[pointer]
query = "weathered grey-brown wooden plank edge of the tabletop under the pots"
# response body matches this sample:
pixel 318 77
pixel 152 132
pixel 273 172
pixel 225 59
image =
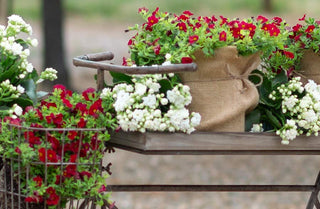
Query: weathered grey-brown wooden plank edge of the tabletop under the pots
pixel 208 142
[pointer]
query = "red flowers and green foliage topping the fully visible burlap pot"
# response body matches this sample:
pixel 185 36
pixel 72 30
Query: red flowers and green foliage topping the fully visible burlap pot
pixel 181 35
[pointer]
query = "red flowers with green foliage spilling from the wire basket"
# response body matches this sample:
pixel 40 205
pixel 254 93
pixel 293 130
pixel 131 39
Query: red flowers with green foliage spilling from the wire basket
pixel 59 145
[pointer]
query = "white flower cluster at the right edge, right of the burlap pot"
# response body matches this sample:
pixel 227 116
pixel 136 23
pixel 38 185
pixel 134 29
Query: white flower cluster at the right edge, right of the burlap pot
pixel 302 106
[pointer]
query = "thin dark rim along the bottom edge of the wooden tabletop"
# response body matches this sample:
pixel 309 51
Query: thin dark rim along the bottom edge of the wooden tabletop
pixel 215 152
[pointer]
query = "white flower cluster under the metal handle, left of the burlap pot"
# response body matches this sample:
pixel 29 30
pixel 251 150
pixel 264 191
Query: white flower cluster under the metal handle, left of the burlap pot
pixel 141 106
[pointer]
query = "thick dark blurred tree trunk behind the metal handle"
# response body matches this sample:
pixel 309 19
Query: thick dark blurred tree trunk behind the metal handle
pixel 52 13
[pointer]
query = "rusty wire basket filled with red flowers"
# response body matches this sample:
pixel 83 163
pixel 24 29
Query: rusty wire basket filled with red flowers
pixel 42 160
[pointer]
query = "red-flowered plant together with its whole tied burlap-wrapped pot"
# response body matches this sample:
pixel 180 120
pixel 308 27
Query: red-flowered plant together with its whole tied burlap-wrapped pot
pixel 226 51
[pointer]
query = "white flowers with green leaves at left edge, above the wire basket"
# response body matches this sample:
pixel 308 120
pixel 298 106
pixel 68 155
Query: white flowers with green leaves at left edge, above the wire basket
pixel 18 78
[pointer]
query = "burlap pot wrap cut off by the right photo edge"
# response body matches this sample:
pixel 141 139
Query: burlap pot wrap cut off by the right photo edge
pixel 309 67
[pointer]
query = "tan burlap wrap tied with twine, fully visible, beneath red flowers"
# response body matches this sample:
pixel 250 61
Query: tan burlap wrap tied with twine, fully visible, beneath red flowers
pixel 221 91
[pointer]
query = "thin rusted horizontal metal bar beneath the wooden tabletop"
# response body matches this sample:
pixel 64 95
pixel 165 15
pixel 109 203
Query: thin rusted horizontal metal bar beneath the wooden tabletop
pixel 211 188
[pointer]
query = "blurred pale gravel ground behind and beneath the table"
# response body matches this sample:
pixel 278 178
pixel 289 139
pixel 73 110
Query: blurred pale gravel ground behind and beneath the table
pixel 91 36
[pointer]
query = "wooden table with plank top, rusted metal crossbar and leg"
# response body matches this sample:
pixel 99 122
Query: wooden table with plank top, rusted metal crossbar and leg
pixel 204 143
